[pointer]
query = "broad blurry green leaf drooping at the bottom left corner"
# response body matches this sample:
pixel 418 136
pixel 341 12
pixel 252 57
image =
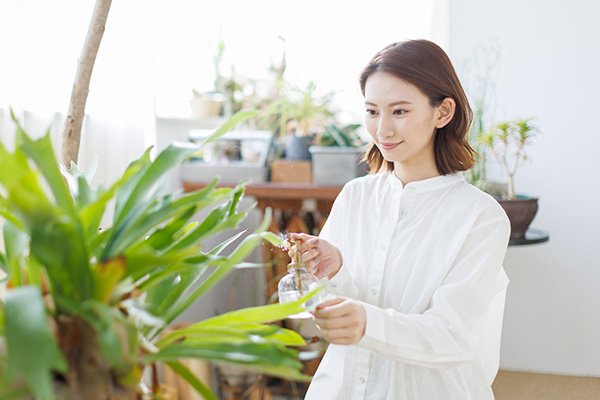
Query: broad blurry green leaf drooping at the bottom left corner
pixel 32 350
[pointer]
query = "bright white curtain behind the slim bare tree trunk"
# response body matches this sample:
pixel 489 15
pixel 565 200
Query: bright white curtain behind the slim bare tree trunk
pixel 40 43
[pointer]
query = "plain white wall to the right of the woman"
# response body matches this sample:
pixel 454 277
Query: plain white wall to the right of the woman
pixel 549 70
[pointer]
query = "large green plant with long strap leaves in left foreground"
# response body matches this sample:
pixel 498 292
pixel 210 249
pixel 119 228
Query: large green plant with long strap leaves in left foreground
pixel 83 305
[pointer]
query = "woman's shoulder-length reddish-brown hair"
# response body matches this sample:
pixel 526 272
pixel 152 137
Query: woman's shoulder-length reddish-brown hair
pixel 425 65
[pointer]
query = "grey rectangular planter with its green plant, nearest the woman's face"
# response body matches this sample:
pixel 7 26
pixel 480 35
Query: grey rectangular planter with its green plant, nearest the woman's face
pixel 337 155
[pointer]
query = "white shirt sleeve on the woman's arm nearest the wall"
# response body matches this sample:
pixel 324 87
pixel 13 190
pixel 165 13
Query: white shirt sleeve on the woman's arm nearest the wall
pixel 447 334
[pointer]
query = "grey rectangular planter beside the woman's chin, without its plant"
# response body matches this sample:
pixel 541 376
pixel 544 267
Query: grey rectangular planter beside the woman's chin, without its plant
pixel 335 166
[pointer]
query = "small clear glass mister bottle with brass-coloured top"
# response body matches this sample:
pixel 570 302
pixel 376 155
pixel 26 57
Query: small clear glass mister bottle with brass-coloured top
pixel 297 283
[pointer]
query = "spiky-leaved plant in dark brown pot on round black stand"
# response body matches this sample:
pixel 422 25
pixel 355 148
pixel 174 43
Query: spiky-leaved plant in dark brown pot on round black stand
pixel 507 142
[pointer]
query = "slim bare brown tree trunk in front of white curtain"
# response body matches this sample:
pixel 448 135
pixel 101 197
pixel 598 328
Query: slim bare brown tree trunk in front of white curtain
pixel 71 135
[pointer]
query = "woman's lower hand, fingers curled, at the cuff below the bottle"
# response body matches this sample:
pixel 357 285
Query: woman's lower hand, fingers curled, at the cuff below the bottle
pixel 342 321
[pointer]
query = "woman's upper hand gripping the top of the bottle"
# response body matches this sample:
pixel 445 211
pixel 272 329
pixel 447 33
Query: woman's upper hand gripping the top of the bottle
pixel 322 258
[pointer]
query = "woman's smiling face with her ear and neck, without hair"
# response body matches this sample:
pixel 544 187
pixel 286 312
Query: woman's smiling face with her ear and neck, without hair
pixel 401 122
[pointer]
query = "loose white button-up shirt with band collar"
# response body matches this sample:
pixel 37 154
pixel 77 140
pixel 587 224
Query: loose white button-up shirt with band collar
pixel 425 261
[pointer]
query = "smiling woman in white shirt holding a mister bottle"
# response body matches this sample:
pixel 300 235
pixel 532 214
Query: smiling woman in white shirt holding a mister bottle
pixel 412 252
